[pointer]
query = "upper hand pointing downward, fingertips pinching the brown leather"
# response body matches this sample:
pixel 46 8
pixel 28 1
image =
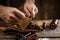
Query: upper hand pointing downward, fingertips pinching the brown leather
pixel 29 8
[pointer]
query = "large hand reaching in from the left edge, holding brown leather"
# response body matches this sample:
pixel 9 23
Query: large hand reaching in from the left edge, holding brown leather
pixel 9 13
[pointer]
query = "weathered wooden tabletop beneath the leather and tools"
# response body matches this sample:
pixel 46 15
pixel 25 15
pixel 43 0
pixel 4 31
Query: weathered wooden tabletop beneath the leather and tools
pixel 45 33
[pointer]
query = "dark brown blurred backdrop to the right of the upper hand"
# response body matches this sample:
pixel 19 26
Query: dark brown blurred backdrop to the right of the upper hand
pixel 48 9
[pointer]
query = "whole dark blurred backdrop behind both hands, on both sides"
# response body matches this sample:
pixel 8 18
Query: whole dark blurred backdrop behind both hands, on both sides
pixel 48 9
